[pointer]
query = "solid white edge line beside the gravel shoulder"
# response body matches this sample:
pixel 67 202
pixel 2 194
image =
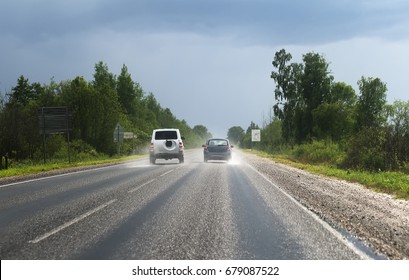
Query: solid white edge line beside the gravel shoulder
pixel 338 235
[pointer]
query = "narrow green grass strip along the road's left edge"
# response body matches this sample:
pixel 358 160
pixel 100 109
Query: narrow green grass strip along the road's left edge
pixel 19 169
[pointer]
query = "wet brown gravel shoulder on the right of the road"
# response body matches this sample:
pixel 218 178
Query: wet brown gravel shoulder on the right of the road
pixel 378 219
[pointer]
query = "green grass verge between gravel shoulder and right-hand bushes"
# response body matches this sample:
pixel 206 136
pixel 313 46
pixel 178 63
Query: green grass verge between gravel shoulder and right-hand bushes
pixel 393 183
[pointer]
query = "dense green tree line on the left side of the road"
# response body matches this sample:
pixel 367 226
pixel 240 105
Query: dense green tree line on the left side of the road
pixel 96 107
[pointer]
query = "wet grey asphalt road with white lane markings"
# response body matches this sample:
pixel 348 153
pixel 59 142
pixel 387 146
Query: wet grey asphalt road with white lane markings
pixel 195 210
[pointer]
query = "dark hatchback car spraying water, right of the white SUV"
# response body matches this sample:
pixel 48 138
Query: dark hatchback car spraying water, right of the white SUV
pixel 217 149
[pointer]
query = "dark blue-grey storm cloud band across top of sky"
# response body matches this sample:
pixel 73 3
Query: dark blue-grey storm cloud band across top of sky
pixel 286 22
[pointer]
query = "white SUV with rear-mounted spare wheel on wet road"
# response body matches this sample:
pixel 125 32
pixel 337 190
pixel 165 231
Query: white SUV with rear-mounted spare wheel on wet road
pixel 166 143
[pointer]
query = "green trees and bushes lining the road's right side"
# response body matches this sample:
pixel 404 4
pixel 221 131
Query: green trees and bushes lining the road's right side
pixel 361 130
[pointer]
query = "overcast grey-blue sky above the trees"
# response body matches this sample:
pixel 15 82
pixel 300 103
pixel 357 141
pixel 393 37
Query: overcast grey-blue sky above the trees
pixel 209 61
